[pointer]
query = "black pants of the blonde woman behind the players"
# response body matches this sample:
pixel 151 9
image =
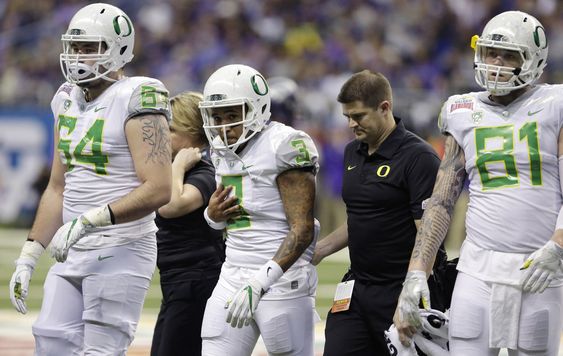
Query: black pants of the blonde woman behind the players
pixel 178 327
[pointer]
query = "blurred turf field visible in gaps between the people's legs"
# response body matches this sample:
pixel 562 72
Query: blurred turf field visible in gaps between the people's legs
pixel 15 333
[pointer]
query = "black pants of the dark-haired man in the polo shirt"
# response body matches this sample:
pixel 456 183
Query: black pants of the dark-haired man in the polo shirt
pixel 359 330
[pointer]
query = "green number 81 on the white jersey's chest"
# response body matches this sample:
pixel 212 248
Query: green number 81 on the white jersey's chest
pixel 505 154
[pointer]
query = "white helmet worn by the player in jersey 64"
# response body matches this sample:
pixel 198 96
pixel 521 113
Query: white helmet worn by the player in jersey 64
pixel 105 25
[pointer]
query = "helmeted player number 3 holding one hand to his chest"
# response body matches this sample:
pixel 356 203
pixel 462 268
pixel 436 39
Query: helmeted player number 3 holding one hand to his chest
pixel 265 173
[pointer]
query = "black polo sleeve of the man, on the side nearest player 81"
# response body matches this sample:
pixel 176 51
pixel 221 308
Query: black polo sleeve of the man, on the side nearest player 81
pixel 420 179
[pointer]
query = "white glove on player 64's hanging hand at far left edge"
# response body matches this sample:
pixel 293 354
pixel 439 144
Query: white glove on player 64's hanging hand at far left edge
pixel 19 284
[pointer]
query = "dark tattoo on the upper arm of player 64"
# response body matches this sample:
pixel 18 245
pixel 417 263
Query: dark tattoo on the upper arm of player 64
pixel 156 134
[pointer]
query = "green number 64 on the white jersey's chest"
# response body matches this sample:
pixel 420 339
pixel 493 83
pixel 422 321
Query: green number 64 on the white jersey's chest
pixel 93 137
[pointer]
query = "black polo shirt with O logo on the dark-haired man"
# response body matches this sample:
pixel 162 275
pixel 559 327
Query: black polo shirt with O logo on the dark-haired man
pixel 383 193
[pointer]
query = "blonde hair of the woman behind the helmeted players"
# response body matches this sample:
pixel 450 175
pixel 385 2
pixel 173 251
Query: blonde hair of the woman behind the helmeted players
pixel 186 117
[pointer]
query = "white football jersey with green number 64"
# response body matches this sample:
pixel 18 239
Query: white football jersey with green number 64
pixel 93 148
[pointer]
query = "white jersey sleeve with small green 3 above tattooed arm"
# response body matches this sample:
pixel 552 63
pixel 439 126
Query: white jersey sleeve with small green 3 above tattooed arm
pixel 297 150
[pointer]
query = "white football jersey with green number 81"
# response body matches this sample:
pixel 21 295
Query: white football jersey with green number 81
pixel 512 164
